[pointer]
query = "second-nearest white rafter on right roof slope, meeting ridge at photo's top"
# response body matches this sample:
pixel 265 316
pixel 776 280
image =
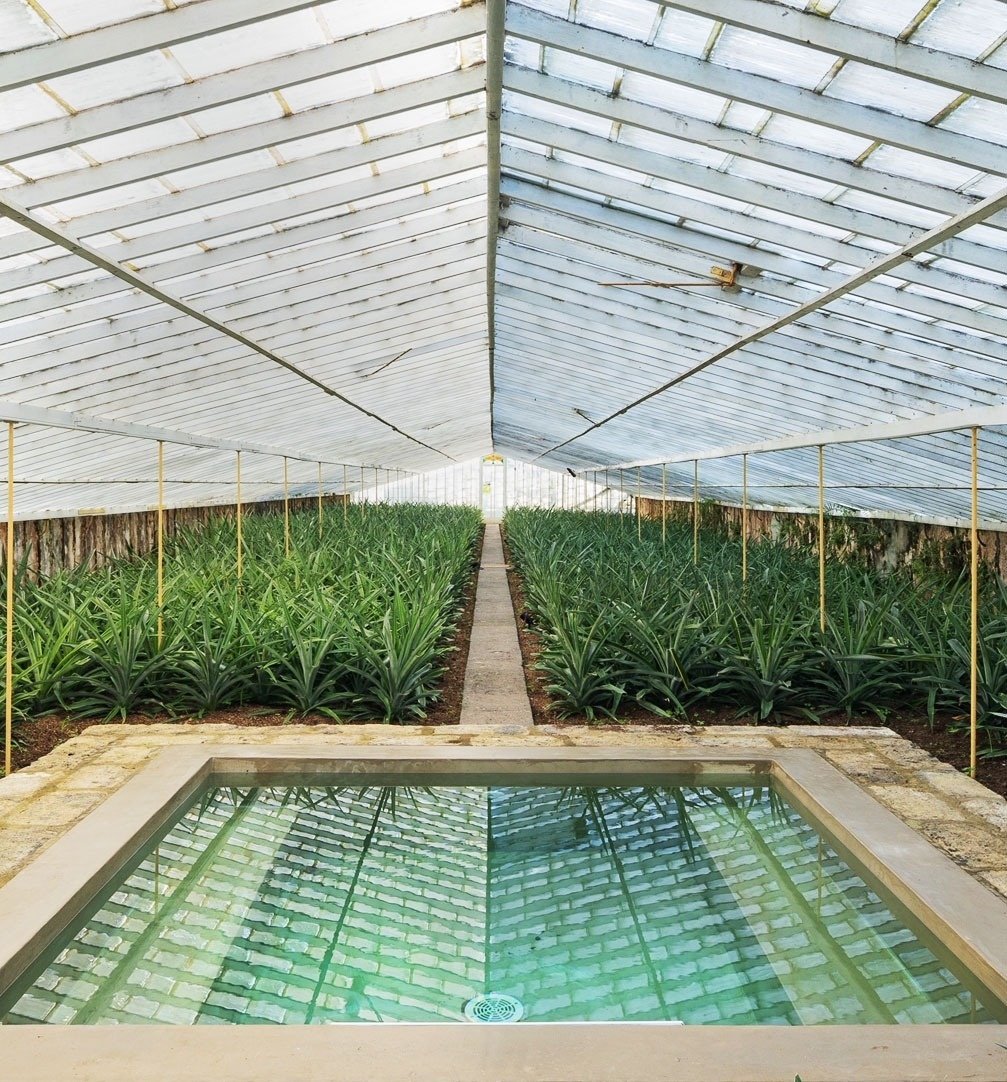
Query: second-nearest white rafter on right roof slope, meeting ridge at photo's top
pixel 757 90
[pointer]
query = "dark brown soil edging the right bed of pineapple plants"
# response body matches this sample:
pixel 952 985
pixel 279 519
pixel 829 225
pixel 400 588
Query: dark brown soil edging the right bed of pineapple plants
pixel 946 741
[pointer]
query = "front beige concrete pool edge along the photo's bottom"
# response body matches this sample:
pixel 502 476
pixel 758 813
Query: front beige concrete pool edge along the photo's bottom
pixel 535 1052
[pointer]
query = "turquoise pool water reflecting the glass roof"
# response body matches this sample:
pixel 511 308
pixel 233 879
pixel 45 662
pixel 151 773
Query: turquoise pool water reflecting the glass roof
pixel 706 904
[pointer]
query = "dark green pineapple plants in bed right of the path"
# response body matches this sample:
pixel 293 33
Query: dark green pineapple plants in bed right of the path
pixel 626 622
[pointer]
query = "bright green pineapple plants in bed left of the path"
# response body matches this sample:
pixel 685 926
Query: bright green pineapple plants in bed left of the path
pixel 353 625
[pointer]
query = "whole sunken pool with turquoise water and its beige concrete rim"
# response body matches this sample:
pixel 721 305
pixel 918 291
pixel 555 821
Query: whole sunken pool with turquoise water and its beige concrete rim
pixel 356 903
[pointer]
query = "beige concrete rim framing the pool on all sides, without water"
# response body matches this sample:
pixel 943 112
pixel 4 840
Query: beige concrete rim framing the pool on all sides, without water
pixel 971 919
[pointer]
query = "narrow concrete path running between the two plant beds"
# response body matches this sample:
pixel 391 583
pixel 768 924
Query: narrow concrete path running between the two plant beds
pixel 495 694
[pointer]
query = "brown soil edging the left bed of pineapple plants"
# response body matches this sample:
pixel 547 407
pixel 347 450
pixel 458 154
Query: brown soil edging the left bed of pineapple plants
pixel 42 735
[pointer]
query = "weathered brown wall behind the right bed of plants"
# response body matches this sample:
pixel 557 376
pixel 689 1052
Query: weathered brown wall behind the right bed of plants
pixel 877 542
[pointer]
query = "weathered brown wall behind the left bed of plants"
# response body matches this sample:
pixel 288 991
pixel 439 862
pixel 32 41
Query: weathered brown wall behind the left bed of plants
pixel 55 545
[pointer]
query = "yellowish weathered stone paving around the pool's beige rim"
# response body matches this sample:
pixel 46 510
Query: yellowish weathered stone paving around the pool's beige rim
pixel 960 816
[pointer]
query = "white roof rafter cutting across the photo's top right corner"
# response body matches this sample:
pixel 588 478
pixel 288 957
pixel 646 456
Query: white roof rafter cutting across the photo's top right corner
pixel 852 43
